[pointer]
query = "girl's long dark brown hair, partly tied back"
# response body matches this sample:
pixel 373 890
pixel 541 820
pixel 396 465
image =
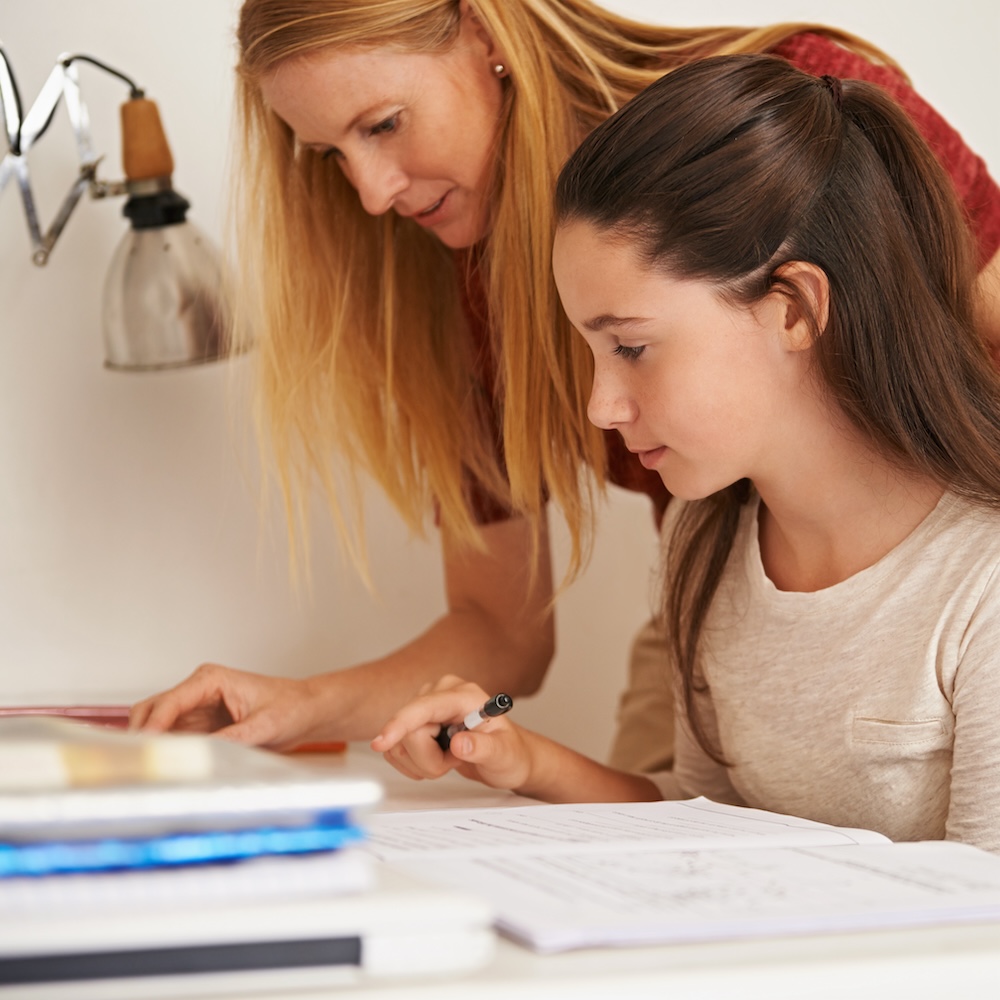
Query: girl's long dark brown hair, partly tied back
pixel 728 169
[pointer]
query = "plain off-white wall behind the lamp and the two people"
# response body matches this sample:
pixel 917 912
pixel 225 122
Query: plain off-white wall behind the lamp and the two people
pixel 130 544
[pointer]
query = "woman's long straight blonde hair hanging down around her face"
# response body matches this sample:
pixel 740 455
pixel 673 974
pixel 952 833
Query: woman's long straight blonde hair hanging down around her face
pixel 358 319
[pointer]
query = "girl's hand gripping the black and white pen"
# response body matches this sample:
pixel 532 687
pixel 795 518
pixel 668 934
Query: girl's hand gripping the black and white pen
pixel 495 753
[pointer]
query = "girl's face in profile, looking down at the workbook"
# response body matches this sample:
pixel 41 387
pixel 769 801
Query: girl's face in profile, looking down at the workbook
pixel 700 389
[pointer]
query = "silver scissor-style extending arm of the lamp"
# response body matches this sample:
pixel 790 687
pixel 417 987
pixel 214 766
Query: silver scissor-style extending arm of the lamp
pixel 24 131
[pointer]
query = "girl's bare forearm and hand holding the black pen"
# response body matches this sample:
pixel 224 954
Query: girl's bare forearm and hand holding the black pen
pixel 499 753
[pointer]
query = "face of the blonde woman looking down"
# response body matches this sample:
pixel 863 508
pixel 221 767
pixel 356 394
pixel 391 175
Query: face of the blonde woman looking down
pixel 414 132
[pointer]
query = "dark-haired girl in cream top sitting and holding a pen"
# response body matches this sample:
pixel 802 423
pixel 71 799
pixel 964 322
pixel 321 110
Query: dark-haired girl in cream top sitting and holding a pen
pixel 776 281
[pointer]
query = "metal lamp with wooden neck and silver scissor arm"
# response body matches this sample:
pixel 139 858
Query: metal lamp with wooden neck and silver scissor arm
pixel 162 295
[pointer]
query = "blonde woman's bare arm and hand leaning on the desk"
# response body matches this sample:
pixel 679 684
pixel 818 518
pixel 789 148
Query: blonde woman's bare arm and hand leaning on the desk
pixel 498 630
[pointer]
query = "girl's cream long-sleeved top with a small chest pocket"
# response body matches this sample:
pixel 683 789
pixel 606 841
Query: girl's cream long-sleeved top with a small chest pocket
pixel 874 703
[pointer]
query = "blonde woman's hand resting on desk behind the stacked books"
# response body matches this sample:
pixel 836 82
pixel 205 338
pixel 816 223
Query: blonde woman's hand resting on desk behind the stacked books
pixel 243 707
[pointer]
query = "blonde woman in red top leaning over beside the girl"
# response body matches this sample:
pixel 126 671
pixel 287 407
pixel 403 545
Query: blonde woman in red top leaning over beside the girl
pixel 396 232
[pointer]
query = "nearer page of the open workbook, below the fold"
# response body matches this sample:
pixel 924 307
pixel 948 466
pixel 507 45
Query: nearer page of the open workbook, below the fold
pixel 580 900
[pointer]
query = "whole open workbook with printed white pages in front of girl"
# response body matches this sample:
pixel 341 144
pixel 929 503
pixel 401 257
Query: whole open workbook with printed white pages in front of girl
pixel 563 877
